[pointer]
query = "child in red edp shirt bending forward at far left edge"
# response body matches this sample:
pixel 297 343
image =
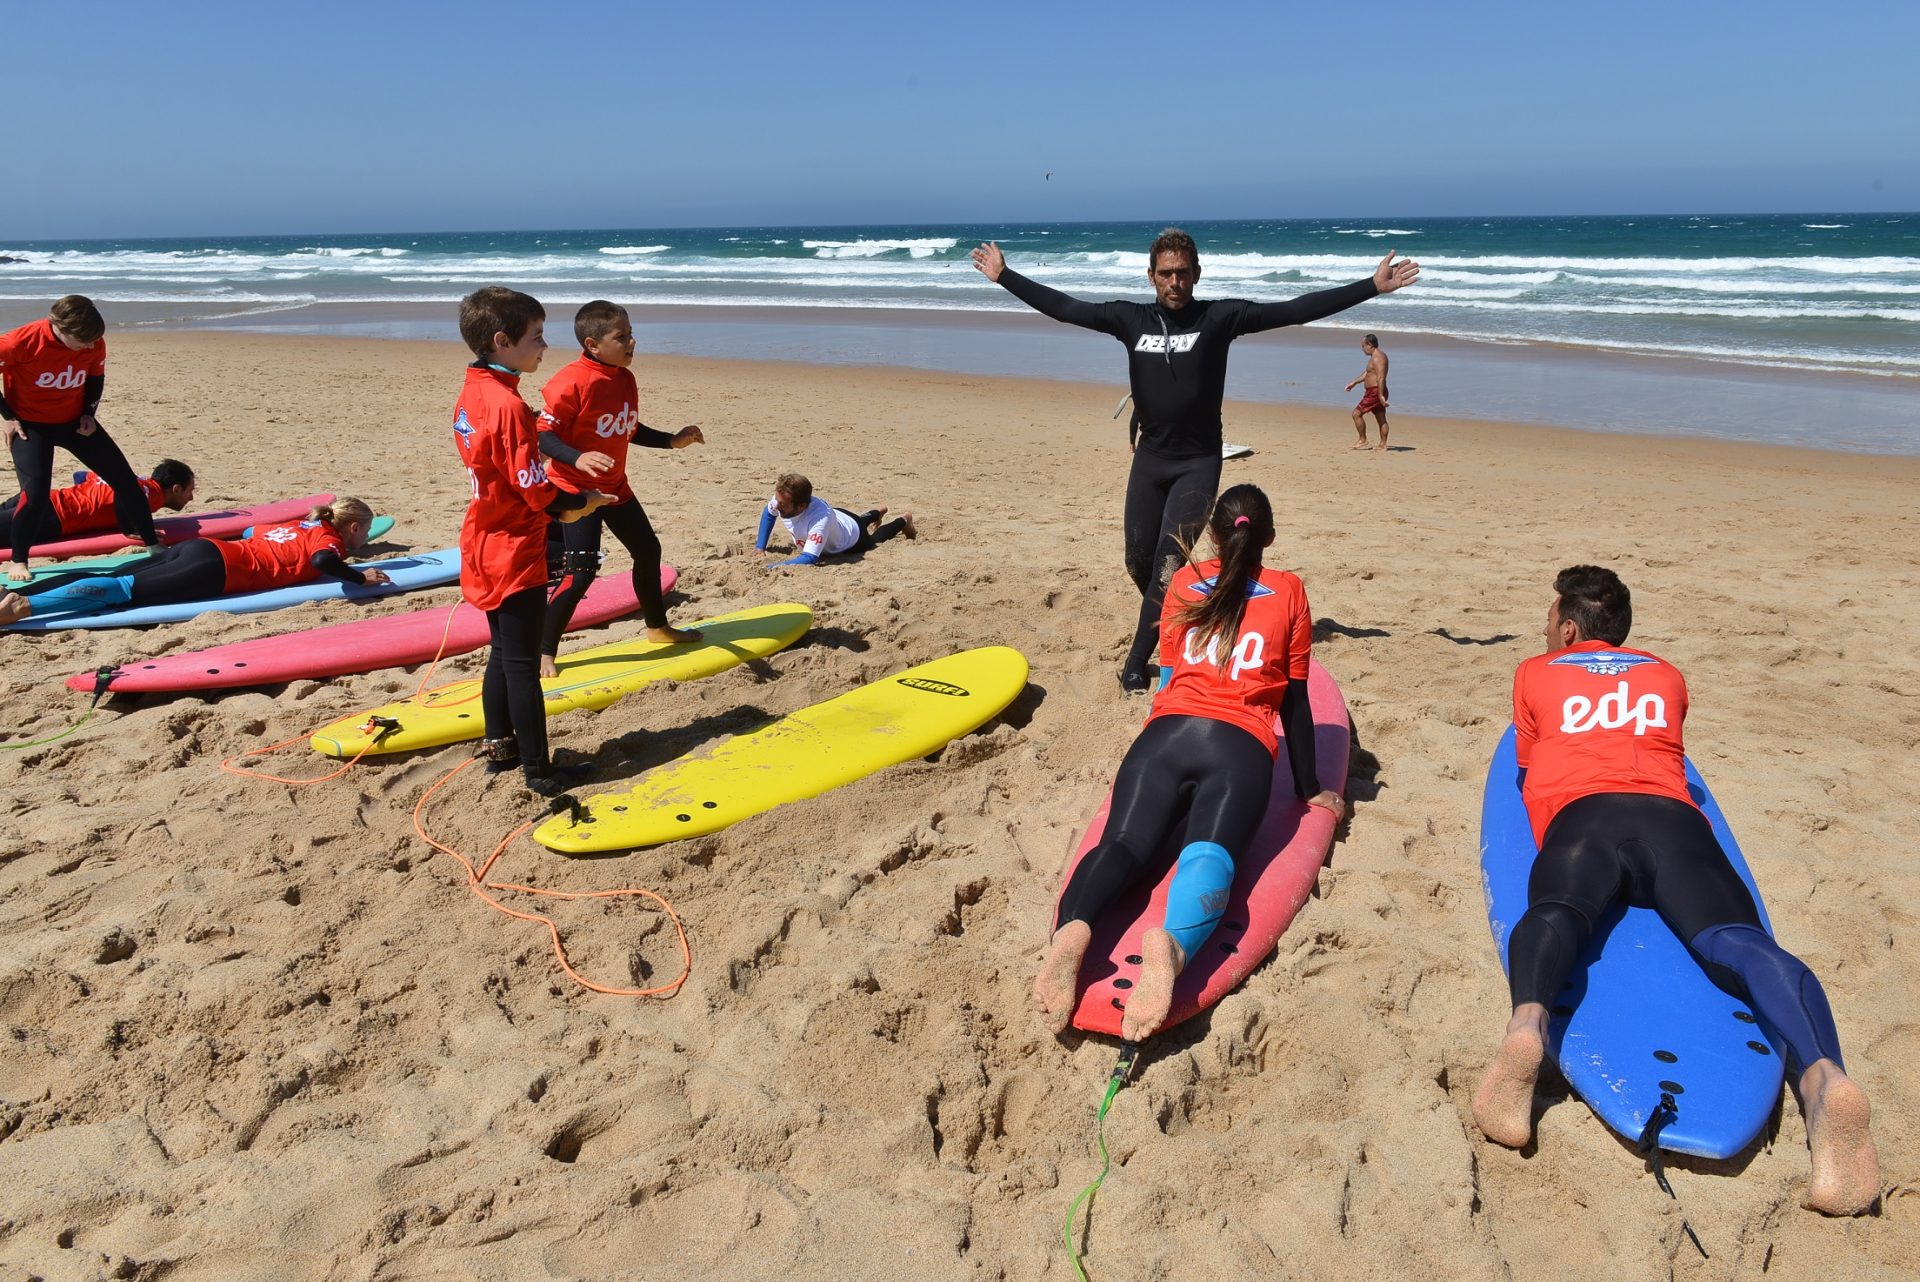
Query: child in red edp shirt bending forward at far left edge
pixel 53 375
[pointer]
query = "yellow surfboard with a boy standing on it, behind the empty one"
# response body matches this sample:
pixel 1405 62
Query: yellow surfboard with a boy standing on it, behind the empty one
pixel 587 680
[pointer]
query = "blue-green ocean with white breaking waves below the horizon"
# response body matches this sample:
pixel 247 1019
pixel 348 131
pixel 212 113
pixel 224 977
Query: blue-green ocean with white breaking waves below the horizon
pixel 1812 293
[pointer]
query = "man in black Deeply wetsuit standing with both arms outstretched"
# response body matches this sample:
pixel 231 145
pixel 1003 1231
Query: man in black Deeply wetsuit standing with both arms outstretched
pixel 1178 371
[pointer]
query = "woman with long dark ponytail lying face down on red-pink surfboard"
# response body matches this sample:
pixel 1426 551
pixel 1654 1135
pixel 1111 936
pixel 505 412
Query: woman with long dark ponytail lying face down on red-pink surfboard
pixel 1236 638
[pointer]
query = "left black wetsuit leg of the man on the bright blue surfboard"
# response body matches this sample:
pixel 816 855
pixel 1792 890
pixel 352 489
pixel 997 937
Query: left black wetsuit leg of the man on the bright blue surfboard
pixel 1577 876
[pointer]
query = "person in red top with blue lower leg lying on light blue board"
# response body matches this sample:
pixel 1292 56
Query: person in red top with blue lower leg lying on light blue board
pixel 204 569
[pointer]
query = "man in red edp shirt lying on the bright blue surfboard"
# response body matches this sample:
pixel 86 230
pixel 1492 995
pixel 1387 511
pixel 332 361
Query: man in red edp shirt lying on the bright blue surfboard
pixel 1604 782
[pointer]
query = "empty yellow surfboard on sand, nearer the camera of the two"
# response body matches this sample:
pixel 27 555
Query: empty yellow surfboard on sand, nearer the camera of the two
pixel 817 749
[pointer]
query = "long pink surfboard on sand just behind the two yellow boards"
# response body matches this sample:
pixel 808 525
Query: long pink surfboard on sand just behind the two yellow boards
pixel 339 650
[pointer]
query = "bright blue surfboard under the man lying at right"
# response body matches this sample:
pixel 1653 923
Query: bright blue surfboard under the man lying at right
pixel 1639 1020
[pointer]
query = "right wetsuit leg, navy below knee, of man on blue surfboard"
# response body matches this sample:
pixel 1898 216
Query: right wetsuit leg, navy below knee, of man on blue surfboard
pixel 1698 893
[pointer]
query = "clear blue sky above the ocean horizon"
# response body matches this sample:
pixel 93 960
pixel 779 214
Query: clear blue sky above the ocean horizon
pixel 174 120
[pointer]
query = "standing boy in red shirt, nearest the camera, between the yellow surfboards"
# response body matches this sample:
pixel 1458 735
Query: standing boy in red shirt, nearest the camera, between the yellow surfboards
pixel 504 540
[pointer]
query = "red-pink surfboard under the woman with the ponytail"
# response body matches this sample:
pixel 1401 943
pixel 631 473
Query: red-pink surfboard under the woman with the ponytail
pixel 1272 880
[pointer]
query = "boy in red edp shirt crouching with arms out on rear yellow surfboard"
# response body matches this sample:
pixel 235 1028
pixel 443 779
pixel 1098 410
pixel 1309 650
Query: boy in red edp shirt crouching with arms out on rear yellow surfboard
pixel 587 427
